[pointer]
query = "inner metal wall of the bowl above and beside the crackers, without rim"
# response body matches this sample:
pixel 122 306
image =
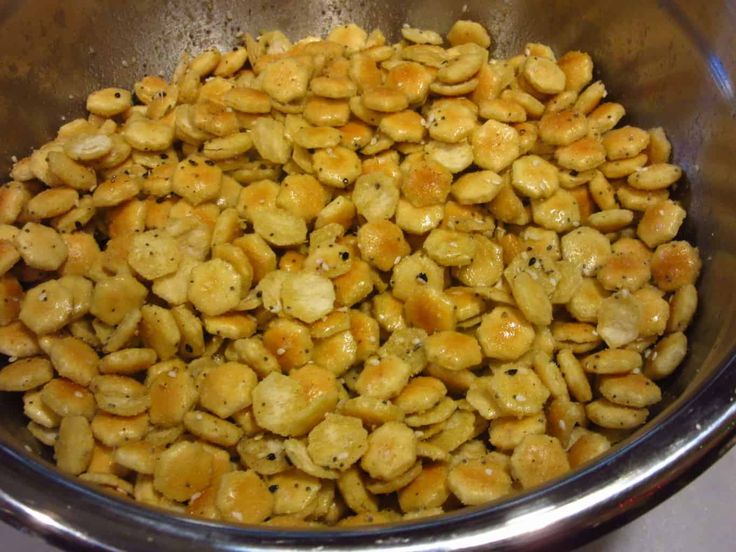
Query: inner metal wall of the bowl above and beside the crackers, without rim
pixel 667 62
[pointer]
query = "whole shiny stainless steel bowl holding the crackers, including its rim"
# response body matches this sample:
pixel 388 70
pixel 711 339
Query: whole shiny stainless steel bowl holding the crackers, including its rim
pixel 670 62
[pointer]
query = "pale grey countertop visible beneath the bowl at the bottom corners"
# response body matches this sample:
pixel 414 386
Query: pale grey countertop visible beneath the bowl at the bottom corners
pixel 699 517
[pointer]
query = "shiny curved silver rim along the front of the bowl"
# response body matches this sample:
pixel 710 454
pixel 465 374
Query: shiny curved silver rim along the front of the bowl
pixel 673 448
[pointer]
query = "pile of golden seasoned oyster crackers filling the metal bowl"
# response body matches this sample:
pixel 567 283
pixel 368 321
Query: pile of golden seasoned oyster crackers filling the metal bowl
pixel 342 281
